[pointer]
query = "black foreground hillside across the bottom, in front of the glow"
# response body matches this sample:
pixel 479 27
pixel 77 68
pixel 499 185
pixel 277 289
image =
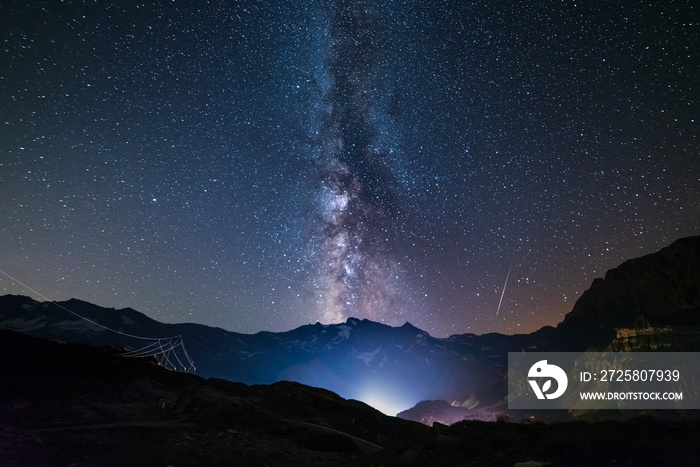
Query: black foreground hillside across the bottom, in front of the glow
pixel 76 405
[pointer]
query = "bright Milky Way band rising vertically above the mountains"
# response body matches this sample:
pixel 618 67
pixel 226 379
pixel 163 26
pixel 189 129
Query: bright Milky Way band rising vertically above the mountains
pixel 360 212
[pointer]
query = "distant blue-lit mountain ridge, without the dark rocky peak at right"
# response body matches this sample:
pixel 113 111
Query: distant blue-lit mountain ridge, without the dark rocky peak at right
pixel 334 356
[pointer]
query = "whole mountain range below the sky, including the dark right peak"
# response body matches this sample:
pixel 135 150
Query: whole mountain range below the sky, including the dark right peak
pixel 644 304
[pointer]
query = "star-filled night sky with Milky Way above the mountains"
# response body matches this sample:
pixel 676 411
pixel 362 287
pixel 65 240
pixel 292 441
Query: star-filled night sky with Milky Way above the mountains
pixel 260 165
